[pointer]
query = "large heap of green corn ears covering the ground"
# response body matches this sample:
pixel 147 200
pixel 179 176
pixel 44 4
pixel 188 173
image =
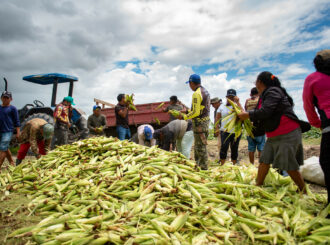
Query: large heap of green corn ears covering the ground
pixel 102 190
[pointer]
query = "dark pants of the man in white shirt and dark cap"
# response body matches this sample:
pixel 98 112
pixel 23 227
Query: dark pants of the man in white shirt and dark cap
pixel 226 141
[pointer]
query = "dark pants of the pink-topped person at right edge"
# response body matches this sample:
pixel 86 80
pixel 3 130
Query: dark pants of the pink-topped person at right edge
pixel 325 160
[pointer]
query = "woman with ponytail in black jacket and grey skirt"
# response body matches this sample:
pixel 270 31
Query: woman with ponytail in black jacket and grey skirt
pixel 283 148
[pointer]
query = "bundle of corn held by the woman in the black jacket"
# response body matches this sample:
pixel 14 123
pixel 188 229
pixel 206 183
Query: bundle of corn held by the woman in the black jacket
pixel 233 124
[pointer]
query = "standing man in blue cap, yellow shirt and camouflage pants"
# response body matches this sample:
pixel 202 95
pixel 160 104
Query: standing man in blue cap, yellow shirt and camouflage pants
pixel 200 115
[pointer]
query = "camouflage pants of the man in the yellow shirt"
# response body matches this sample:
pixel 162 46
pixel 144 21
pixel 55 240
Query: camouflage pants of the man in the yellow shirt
pixel 201 132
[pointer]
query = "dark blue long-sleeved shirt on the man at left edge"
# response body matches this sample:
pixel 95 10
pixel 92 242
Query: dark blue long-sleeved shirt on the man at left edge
pixel 8 118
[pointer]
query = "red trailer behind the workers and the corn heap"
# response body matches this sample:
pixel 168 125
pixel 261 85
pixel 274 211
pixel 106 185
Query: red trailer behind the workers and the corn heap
pixel 145 114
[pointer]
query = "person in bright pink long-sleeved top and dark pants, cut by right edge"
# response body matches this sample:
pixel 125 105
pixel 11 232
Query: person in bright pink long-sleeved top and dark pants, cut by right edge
pixel 316 94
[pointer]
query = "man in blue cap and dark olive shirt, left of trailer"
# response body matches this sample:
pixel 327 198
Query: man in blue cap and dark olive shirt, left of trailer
pixel 96 122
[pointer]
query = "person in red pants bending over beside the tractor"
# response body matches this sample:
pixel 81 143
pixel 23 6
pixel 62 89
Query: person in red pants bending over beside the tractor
pixel 37 134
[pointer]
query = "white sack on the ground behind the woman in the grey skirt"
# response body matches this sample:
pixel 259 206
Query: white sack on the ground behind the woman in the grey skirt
pixel 311 171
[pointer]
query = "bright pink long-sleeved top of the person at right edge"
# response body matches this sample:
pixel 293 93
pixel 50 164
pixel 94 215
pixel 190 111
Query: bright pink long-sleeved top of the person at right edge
pixel 316 85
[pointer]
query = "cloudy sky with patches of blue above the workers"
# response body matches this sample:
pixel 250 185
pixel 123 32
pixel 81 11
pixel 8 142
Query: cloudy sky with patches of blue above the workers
pixel 150 47
